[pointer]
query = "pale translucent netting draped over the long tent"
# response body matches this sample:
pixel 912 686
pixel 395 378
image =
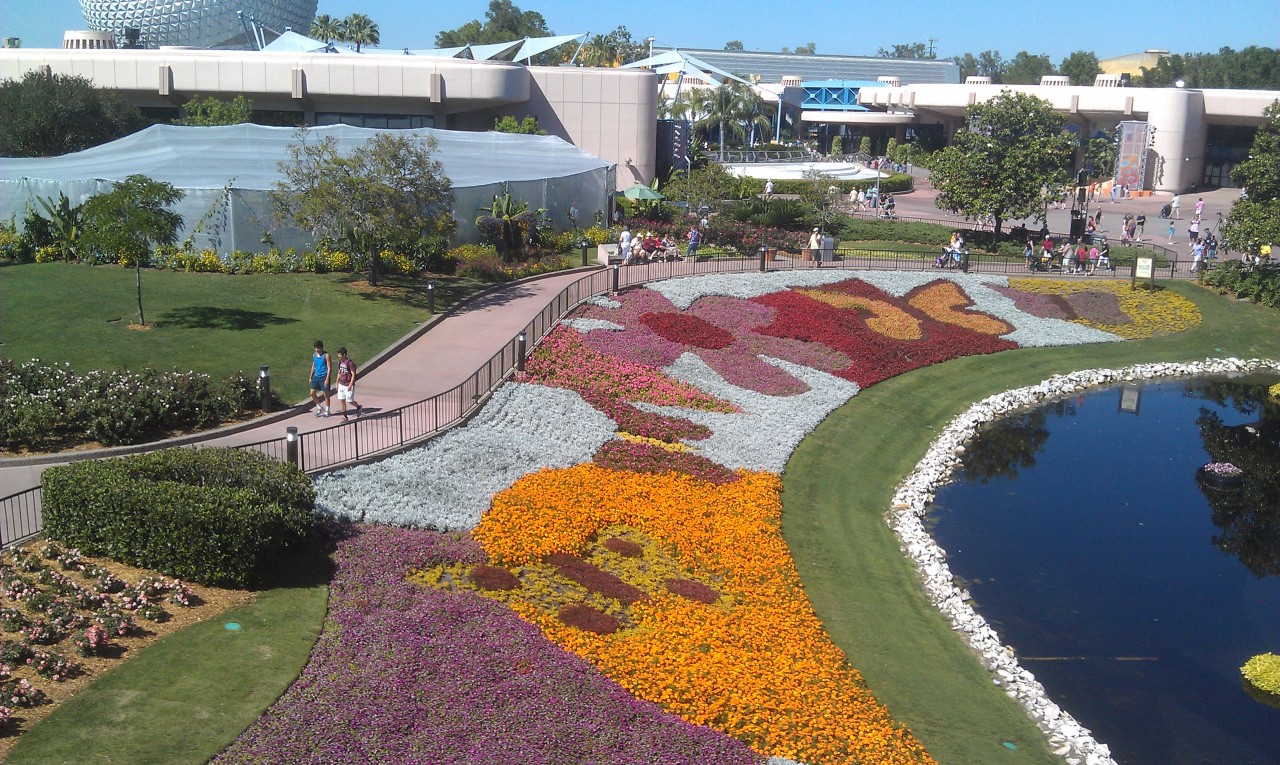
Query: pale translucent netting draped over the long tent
pixel 228 173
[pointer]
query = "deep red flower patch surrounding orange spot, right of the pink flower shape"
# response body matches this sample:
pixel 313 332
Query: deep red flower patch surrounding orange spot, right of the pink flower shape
pixel 875 356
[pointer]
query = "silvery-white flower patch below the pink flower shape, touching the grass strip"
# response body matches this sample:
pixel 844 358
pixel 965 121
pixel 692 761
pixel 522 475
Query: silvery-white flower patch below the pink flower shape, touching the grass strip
pixel 769 429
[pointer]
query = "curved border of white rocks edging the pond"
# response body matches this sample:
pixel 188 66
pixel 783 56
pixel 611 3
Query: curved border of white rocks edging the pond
pixel 1066 736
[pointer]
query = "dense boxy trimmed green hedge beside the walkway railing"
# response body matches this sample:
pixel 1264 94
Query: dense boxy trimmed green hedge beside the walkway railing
pixel 209 516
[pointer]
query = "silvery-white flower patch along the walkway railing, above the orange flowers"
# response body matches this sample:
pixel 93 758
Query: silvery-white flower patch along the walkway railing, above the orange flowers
pixel 449 483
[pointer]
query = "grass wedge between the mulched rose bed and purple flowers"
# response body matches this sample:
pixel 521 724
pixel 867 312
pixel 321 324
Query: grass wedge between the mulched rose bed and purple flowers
pixel 184 699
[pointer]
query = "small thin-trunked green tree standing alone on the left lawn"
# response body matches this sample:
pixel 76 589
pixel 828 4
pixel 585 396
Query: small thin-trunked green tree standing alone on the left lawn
pixel 130 221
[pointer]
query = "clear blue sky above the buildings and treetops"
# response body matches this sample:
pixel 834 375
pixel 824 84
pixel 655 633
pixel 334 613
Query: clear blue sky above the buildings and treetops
pixel 1109 29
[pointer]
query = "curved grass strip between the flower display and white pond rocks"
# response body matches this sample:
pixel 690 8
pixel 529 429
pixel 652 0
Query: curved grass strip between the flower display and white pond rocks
pixel 840 483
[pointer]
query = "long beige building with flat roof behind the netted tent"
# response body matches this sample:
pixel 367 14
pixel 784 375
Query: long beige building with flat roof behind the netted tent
pixel 609 113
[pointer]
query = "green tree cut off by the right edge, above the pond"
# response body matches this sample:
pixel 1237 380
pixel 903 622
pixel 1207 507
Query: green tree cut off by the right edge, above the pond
pixel 1255 219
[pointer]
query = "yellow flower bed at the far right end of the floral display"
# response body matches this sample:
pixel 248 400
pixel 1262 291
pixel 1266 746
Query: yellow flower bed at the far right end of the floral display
pixel 1153 314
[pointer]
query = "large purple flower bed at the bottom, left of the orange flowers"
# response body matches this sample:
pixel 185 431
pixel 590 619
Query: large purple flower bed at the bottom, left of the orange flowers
pixel 410 675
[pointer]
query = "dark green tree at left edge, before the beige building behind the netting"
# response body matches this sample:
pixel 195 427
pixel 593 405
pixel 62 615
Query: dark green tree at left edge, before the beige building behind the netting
pixel 47 116
